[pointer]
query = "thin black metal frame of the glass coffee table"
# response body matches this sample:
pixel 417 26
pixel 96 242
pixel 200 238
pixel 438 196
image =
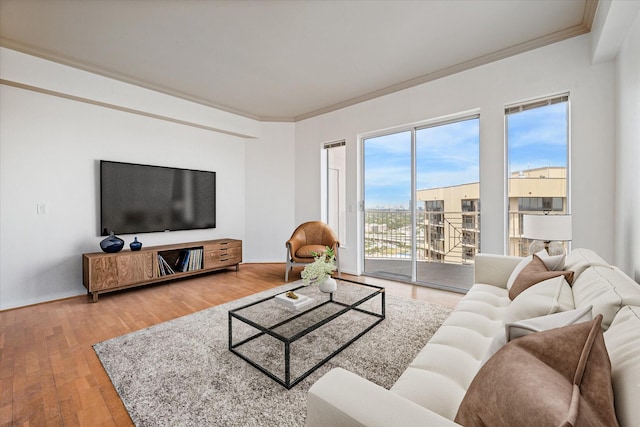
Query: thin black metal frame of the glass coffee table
pixel 288 383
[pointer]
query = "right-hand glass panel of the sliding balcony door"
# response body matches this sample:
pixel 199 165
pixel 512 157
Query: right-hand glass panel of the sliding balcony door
pixel 448 202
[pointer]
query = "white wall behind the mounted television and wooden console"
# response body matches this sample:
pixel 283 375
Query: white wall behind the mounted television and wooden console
pixel 52 137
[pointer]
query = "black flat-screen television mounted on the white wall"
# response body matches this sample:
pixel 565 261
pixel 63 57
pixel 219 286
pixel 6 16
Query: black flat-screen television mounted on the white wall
pixel 142 198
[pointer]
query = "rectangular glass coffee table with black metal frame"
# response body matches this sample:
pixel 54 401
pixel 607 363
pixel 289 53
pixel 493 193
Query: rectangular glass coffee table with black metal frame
pixel 288 343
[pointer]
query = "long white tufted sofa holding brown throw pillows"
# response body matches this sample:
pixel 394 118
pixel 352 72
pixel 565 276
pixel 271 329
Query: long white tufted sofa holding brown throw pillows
pixel 431 389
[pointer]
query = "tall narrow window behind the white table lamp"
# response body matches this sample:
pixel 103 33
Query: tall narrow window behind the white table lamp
pixel 538 164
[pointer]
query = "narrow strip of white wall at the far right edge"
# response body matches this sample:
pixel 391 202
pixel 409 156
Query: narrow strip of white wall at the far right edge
pixel 628 153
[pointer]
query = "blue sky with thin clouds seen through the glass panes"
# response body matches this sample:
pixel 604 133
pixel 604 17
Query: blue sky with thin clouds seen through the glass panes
pixel 448 155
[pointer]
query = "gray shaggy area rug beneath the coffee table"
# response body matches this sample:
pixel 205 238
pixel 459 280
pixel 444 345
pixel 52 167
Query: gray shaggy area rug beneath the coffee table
pixel 181 373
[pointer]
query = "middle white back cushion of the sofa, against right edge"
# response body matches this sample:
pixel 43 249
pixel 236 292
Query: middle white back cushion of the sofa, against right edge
pixel 607 289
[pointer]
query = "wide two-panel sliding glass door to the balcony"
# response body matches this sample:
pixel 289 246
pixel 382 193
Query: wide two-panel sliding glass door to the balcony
pixel 421 203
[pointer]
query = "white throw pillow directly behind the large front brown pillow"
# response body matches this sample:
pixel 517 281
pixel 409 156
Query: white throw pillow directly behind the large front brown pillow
pixel 525 327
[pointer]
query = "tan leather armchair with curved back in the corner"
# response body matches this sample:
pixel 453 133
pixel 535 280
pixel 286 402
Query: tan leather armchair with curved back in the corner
pixel 310 237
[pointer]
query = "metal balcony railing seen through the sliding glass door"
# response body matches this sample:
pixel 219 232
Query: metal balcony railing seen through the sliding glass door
pixel 452 237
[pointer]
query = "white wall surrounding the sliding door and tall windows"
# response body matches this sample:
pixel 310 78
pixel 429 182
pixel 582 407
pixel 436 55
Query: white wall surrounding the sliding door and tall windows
pixel 561 67
